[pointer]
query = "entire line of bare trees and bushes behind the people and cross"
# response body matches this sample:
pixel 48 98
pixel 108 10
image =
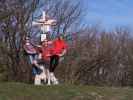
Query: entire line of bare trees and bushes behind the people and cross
pixel 94 57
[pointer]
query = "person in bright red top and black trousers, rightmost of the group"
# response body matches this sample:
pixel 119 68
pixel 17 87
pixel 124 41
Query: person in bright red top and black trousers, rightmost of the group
pixel 58 50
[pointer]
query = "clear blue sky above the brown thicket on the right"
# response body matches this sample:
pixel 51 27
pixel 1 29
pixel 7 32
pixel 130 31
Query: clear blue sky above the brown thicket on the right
pixel 109 13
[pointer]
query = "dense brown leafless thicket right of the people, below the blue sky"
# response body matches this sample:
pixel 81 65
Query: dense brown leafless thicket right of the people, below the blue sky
pixel 103 59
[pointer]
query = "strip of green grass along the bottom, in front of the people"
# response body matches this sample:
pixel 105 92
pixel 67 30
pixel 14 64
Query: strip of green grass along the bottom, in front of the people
pixel 20 91
